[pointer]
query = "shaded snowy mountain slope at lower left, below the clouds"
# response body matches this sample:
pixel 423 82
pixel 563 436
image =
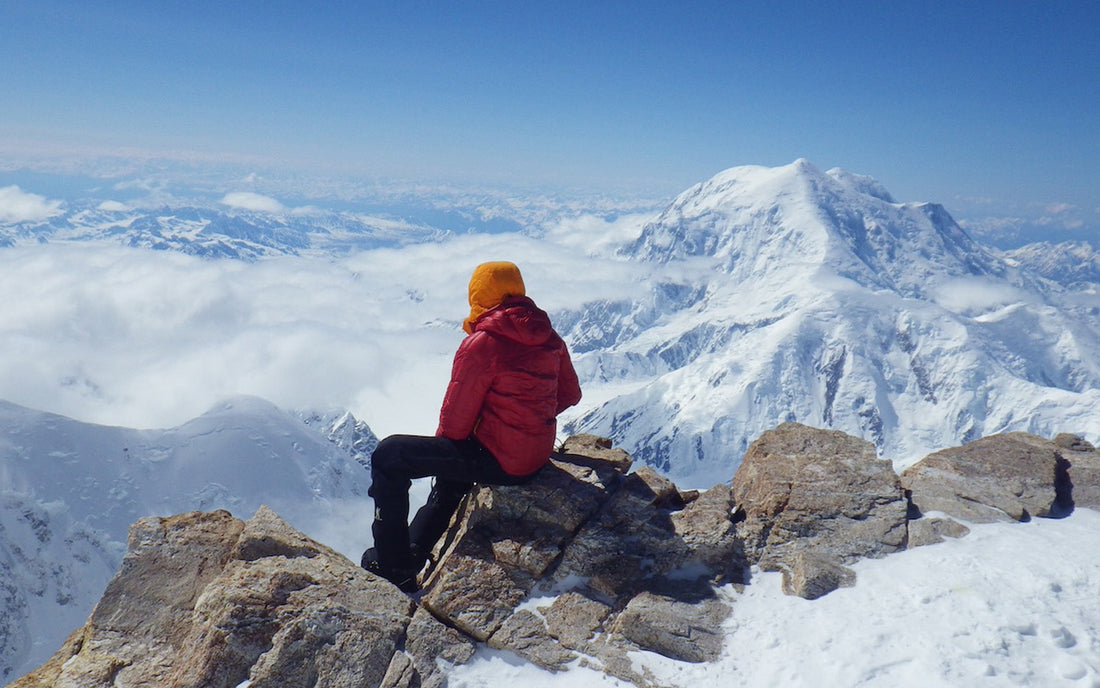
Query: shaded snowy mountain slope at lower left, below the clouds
pixel 70 492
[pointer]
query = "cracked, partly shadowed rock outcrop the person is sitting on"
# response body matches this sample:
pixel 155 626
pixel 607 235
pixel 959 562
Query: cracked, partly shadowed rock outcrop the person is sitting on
pixel 622 553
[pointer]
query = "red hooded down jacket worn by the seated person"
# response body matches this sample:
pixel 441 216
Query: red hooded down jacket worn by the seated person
pixel 511 379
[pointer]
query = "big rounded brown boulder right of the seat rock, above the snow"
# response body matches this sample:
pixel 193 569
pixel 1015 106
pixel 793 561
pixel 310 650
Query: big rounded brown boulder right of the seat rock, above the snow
pixel 815 500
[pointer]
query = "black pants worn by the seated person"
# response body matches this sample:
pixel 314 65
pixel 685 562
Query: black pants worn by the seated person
pixel 457 465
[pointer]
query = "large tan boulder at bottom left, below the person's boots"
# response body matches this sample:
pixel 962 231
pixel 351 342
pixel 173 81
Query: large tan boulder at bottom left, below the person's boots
pixel 204 599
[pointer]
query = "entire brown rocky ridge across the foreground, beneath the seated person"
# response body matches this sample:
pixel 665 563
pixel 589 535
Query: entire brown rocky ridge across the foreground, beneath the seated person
pixel 586 565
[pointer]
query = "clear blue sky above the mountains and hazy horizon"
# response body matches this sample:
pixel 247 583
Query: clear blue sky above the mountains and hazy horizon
pixel 994 101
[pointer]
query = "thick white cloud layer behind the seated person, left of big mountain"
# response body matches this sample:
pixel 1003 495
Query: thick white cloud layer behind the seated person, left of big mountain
pixel 153 338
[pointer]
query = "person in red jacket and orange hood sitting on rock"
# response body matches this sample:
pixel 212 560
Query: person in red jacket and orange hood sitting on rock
pixel 511 378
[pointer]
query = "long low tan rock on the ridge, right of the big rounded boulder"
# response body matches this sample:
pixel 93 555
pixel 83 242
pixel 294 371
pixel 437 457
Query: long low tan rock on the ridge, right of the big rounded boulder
pixel 1009 477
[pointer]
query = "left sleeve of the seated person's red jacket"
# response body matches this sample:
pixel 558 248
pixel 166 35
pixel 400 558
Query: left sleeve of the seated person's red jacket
pixel 466 392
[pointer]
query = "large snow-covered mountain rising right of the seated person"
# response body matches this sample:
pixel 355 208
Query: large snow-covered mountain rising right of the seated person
pixel 815 297
